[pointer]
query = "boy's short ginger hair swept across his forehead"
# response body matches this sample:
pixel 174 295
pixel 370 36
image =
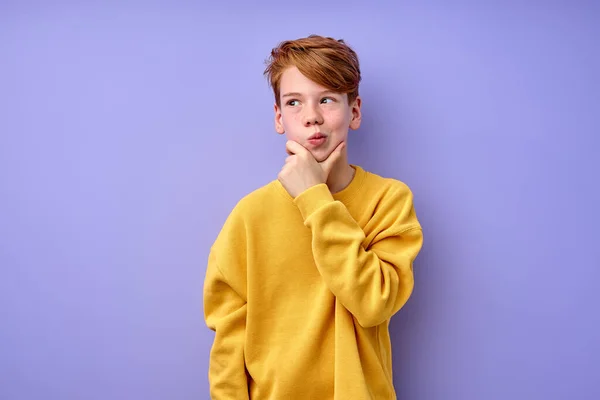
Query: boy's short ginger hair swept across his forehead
pixel 329 62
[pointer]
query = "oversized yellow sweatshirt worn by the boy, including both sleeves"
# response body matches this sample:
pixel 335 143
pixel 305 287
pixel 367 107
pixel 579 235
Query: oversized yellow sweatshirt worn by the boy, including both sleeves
pixel 300 291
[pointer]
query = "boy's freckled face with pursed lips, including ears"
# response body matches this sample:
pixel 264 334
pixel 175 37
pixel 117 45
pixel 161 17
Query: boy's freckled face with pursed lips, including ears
pixel 312 115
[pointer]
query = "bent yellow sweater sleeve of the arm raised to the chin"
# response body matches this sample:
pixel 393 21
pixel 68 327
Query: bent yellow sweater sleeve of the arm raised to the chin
pixel 373 282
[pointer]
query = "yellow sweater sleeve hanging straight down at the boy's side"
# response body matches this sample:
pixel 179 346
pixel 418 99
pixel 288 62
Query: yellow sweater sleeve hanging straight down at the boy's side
pixel 225 313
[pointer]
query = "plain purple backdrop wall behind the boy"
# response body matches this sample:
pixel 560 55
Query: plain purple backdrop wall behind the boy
pixel 128 132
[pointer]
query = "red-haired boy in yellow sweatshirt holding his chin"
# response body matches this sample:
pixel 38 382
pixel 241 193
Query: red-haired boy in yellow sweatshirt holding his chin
pixel 307 270
